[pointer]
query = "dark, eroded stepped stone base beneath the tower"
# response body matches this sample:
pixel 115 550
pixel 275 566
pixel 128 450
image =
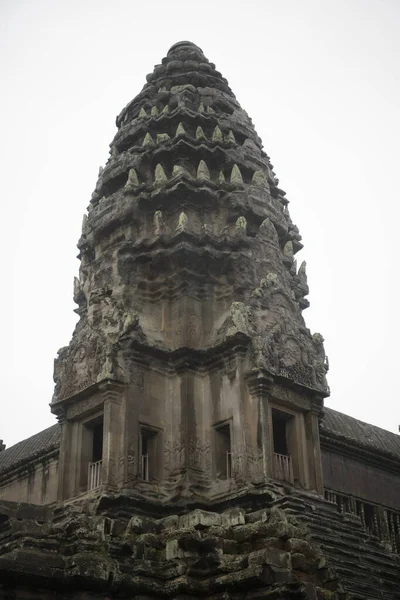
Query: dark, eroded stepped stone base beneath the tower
pixel 79 549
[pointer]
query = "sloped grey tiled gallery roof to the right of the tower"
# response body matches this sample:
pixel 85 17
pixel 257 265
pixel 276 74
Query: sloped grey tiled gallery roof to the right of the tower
pixel 363 434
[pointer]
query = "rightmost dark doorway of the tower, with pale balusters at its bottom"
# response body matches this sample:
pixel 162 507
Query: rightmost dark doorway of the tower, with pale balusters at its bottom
pixel 283 425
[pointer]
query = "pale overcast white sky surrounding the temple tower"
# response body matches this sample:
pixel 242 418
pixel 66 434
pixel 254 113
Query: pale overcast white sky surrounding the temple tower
pixel 320 80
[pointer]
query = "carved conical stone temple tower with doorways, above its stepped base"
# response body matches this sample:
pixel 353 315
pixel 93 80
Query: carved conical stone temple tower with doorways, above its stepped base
pixel 191 375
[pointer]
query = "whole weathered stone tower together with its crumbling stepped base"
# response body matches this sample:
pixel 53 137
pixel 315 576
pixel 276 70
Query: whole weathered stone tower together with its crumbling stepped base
pixel 190 395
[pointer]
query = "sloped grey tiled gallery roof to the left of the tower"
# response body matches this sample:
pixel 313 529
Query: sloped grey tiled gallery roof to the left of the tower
pixel 31 447
